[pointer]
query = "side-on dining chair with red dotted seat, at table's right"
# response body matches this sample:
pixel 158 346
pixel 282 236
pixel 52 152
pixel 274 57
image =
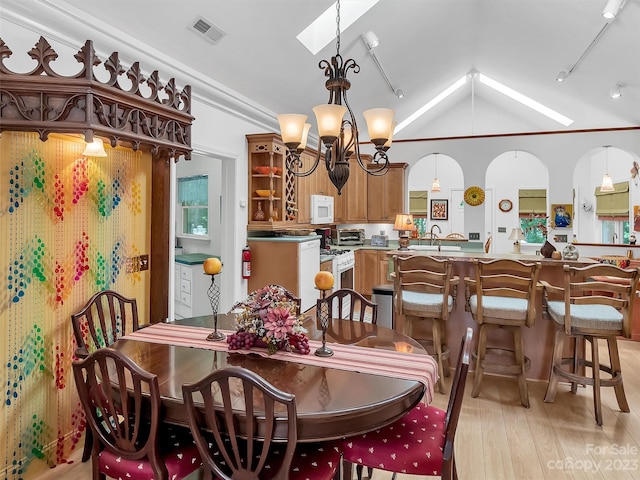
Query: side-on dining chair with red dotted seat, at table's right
pixel 421 442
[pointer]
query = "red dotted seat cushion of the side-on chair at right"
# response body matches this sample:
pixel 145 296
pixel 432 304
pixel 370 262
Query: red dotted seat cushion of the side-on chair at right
pixel 411 445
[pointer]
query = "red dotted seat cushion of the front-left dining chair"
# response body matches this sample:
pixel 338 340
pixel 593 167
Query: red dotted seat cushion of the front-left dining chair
pixel 177 450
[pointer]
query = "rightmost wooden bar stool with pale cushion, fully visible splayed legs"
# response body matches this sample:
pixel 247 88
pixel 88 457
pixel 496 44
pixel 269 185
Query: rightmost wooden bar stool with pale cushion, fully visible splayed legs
pixel 599 299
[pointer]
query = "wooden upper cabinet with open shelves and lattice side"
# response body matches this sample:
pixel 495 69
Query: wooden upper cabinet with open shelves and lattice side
pixel 272 189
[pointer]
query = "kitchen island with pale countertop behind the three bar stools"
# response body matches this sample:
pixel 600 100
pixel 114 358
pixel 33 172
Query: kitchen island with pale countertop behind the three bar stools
pixel 538 340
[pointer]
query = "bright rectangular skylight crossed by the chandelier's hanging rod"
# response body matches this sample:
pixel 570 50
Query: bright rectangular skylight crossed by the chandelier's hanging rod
pixel 323 29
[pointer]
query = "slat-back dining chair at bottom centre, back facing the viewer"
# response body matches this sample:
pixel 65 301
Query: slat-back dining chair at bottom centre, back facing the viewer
pixel 246 428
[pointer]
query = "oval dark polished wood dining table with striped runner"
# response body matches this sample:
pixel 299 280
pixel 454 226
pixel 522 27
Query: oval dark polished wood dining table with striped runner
pixel 331 402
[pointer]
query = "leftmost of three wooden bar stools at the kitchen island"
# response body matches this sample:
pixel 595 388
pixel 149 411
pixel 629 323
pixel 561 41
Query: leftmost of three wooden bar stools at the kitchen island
pixel 425 288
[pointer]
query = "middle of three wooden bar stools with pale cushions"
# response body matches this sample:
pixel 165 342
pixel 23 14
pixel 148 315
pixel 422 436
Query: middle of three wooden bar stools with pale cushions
pixel 503 295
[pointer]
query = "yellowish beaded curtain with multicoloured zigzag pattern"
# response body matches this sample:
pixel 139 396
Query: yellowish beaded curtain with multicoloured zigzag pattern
pixel 68 225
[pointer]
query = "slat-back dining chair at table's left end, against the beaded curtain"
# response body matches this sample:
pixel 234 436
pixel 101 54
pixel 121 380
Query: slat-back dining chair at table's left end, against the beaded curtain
pixel 105 317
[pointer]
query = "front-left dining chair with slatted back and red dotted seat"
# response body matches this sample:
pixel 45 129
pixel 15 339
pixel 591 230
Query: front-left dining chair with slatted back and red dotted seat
pixel 129 440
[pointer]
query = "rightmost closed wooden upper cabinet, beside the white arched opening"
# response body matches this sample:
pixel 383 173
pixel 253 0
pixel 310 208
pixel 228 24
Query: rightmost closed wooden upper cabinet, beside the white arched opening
pixel 386 193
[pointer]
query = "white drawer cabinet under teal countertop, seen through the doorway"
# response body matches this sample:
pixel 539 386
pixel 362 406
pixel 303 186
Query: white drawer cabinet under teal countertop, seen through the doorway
pixel 191 285
